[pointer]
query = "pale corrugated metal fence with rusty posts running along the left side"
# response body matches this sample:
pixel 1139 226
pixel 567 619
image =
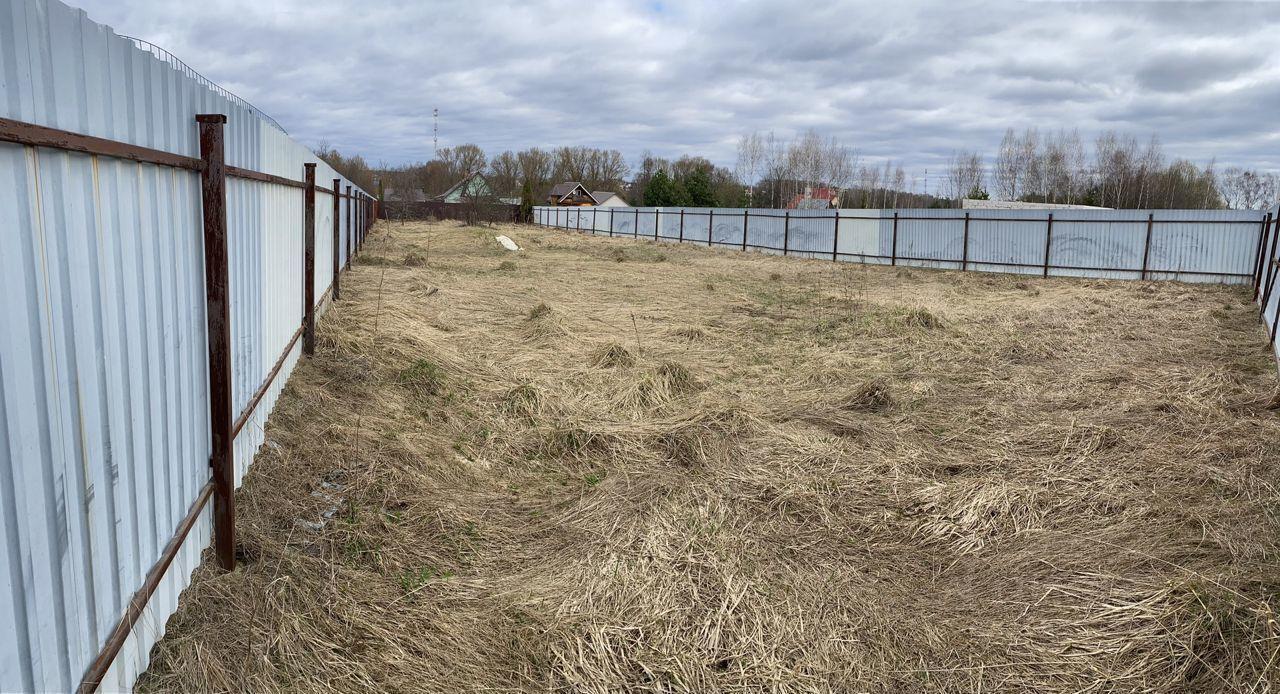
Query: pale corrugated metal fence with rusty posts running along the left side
pixel 171 250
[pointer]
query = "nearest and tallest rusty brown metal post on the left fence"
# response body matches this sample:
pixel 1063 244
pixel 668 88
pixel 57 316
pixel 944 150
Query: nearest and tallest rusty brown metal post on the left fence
pixel 213 189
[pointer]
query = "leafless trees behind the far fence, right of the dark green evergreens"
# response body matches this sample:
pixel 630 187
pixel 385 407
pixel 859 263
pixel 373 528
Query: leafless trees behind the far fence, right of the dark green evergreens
pixel 1032 167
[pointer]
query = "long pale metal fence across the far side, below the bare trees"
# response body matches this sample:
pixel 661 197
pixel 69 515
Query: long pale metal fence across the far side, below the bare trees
pixel 1185 245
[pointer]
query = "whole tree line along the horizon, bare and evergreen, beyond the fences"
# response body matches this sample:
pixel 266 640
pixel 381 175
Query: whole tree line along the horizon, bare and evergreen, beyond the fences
pixel 1053 167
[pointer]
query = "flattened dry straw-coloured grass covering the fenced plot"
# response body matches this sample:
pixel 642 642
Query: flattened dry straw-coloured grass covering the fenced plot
pixel 604 465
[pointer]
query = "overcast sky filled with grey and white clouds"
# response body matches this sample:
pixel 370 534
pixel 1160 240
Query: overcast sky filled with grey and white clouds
pixel 906 81
